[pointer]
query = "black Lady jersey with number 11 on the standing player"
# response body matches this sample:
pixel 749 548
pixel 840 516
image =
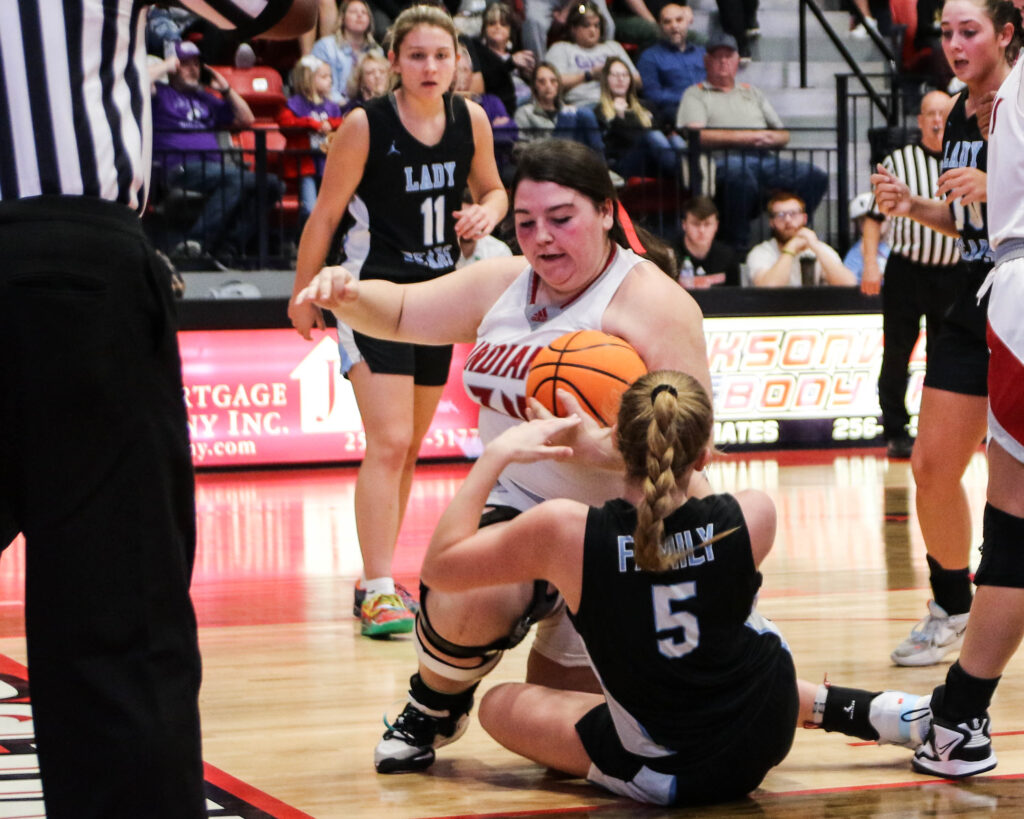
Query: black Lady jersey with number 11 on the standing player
pixel 404 230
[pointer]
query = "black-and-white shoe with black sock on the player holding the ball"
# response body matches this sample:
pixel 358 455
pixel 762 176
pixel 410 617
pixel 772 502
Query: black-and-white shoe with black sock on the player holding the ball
pixel 409 744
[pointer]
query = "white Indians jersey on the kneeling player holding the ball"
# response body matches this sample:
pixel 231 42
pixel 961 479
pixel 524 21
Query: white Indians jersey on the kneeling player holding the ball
pixel 495 376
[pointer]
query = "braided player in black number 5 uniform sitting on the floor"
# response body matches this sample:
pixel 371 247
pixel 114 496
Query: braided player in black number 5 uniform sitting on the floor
pixel 700 697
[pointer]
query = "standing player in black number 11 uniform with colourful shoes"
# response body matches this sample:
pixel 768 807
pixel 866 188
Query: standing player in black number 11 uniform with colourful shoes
pixel 399 165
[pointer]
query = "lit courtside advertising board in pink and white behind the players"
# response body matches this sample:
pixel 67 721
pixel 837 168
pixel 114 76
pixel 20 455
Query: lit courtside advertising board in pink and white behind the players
pixel 268 397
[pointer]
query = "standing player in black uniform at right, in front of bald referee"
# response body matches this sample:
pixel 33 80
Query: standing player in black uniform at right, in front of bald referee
pixel 954 421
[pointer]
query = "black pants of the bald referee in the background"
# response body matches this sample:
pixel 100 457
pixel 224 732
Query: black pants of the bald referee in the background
pixel 909 291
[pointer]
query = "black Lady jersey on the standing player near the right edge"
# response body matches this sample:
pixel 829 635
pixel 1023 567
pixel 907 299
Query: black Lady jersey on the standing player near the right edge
pixel 964 148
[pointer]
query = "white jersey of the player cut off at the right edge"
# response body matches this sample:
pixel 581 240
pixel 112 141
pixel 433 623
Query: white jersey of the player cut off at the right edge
pixel 1006 171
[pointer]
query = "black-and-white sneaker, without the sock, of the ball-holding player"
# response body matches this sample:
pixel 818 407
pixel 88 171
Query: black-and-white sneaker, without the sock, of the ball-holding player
pixel 409 744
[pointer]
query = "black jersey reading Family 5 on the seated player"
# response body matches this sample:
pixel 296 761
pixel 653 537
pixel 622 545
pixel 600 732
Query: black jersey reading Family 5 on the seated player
pixel 681 654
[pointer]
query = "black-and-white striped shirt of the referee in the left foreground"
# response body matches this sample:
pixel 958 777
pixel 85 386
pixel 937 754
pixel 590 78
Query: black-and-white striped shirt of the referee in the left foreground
pixel 75 94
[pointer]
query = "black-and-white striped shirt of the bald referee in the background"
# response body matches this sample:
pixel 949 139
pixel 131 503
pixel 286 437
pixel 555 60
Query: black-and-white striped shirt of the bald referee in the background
pixel 920 170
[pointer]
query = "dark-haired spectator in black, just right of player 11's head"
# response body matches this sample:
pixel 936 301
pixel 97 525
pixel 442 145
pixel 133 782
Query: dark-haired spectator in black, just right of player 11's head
pixel 505 68
